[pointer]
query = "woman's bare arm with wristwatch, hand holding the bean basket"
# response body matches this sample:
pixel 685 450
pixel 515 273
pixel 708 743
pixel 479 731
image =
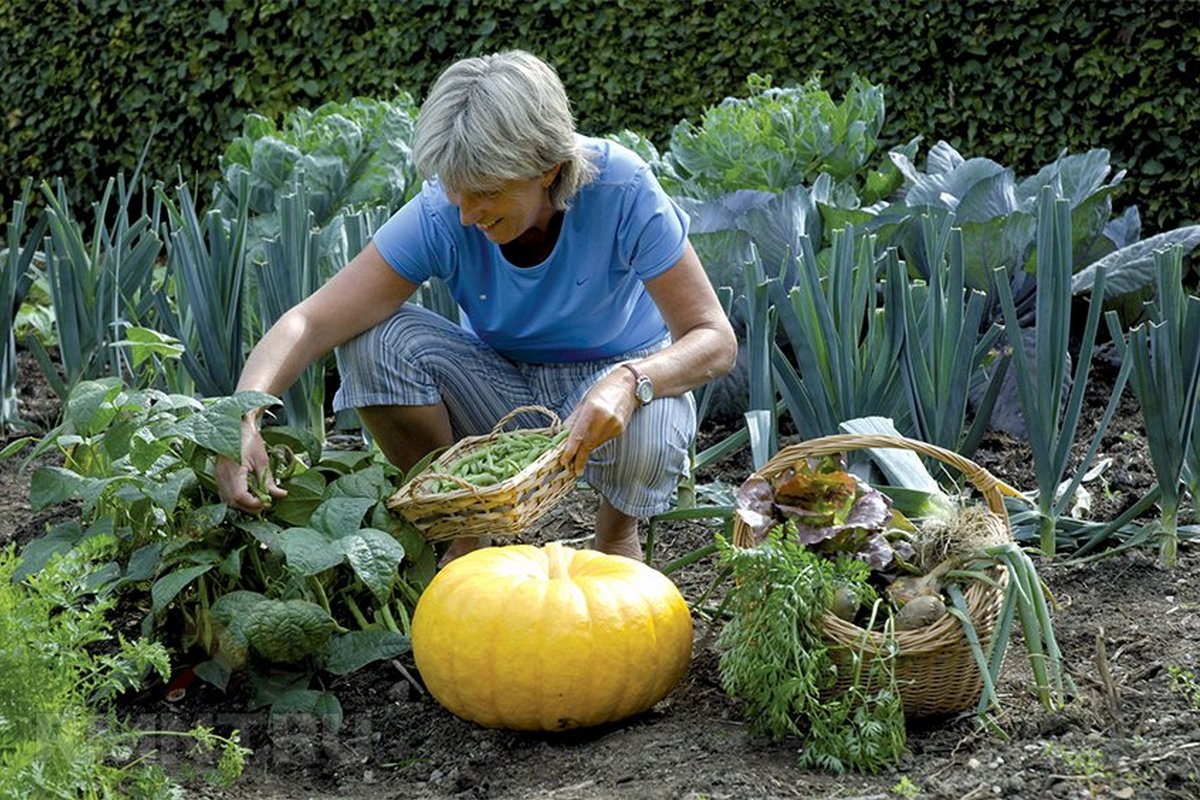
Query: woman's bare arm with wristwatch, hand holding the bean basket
pixel 704 347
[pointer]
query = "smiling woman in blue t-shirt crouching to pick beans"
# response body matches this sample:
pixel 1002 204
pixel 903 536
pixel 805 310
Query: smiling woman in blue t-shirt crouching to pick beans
pixel 575 275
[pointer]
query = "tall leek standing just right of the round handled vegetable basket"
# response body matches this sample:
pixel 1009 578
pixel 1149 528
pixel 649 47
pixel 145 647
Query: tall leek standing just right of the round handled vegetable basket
pixel 1052 424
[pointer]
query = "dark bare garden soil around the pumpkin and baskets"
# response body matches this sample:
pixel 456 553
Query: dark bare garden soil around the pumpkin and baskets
pixel 1125 625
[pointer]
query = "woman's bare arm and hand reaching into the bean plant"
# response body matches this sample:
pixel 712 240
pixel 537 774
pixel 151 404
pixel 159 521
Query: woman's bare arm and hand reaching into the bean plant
pixel 359 297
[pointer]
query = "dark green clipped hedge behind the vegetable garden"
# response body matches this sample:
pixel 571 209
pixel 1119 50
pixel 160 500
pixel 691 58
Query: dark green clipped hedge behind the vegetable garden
pixel 88 83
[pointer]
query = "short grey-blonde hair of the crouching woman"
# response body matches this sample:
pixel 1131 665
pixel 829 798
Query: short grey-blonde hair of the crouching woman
pixel 500 118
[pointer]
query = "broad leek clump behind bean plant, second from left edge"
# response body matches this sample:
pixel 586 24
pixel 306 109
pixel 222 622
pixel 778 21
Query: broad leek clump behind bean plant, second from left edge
pixel 98 288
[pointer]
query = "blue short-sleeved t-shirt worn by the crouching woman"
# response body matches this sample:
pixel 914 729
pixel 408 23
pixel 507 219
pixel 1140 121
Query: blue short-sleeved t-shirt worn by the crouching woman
pixel 587 300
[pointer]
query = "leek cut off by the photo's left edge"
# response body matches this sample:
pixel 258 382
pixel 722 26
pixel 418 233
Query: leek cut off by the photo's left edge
pixel 15 282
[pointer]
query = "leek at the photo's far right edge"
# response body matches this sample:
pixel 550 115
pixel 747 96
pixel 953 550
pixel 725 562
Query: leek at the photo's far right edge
pixel 1166 357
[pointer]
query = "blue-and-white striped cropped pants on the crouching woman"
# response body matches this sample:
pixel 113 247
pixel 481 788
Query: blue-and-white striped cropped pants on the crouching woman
pixel 418 358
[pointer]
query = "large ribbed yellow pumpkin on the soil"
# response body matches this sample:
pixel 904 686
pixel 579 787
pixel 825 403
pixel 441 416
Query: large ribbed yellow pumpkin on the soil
pixel 550 639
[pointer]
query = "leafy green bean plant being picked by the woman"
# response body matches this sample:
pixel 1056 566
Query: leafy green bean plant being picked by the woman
pixel 328 560
